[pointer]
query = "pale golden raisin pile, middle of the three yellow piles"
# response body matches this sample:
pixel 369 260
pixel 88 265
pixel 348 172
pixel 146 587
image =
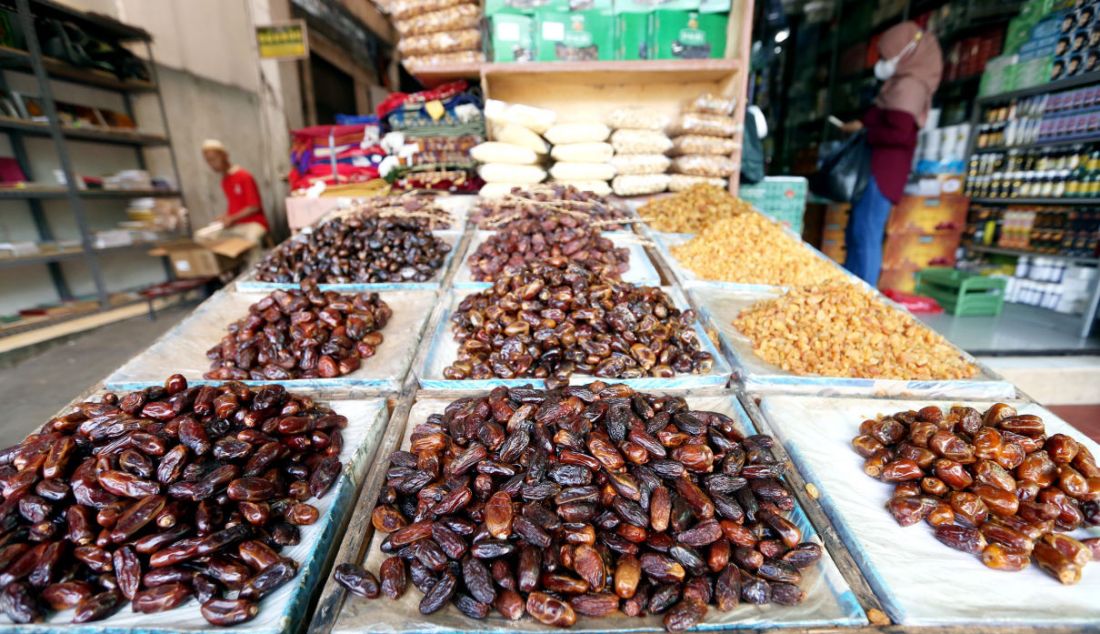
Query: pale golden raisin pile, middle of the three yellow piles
pixel 751 249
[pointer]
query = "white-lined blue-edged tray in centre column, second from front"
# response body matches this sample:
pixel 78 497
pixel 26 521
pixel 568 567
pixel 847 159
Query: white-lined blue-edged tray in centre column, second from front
pixel 444 352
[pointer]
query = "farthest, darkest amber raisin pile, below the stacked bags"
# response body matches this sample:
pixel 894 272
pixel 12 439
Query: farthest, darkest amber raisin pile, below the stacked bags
pixel 691 211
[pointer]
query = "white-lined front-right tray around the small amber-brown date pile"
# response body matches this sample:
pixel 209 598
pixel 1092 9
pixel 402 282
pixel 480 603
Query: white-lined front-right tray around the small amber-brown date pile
pixel 919 581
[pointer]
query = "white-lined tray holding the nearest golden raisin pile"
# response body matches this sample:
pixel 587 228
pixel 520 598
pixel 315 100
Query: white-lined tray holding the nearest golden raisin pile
pixel 721 307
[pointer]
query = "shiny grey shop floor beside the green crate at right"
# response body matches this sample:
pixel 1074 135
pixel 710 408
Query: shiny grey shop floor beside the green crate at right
pixel 1019 330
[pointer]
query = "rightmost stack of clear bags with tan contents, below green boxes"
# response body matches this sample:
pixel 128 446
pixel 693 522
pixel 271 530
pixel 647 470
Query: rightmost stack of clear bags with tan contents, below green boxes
pixel 703 143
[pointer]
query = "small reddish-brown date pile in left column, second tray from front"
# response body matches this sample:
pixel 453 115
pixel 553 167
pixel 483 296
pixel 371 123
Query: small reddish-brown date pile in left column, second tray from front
pixel 301 335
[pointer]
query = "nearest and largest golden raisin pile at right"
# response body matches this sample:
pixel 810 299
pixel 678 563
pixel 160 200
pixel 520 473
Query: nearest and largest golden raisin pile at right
pixel 839 330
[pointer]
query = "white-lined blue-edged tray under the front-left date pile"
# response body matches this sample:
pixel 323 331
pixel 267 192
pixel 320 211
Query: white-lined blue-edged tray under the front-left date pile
pixel 283 610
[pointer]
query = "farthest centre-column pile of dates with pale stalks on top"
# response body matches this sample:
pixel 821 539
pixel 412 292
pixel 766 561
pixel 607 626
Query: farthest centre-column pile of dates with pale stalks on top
pixel 543 201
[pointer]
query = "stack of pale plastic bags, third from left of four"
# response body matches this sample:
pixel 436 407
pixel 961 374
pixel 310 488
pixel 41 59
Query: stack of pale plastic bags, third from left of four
pixel 641 145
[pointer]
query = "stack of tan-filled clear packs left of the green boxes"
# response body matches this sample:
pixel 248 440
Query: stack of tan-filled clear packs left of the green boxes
pixel 438 31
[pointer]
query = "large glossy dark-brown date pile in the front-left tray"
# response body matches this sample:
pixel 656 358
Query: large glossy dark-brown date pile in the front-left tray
pixel 163 497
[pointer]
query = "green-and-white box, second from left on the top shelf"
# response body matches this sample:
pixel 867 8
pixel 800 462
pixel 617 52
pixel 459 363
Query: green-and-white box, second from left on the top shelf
pixel 576 37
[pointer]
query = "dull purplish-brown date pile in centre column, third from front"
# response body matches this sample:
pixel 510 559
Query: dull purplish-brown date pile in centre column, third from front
pixel 555 238
